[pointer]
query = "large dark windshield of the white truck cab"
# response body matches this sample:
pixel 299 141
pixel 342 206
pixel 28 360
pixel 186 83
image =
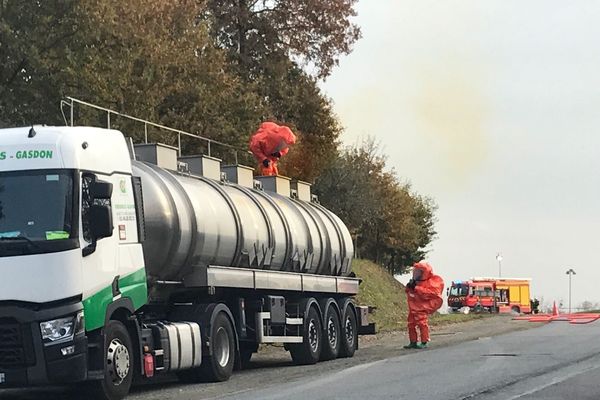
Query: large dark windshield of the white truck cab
pixel 37 212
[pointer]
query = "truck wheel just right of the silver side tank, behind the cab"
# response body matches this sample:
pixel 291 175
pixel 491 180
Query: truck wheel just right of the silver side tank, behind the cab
pixel 217 367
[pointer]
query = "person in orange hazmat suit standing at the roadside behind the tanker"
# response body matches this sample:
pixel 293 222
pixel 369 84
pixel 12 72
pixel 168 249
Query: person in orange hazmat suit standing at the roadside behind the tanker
pixel 424 297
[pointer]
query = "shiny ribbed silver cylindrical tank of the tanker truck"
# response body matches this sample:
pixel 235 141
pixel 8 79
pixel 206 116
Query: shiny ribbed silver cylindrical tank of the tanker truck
pixel 193 221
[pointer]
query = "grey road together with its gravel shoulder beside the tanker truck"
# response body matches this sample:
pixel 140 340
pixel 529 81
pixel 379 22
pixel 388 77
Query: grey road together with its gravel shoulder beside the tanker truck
pixel 554 361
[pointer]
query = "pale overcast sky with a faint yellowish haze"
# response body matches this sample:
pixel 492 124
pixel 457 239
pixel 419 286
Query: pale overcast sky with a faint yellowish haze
pixel 492 108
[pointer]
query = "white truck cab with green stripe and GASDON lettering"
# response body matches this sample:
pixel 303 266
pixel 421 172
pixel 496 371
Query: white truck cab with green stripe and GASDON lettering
pixel 57 277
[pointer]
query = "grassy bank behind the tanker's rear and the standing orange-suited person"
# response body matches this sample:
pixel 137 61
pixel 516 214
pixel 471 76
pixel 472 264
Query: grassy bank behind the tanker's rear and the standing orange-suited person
pixel 380 289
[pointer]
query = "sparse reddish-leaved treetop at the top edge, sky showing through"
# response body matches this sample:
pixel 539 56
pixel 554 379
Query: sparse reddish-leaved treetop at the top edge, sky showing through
pixel 257 32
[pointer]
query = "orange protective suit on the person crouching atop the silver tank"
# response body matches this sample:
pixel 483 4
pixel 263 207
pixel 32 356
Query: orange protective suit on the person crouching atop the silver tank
pixel 270 143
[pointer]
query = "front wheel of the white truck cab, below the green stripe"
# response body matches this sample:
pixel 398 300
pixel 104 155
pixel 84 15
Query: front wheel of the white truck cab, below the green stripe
pixel 118 364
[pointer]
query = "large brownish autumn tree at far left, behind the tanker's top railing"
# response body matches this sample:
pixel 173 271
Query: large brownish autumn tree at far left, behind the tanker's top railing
pixel 153 59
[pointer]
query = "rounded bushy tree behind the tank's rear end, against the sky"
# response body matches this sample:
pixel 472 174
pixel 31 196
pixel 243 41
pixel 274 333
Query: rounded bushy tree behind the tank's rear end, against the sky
pixel 391 225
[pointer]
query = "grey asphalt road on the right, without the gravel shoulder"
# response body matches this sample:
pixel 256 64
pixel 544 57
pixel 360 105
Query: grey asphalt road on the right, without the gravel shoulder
pixel 556 361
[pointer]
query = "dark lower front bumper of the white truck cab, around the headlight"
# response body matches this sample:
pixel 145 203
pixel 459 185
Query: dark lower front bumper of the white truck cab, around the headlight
pixel 25 360
